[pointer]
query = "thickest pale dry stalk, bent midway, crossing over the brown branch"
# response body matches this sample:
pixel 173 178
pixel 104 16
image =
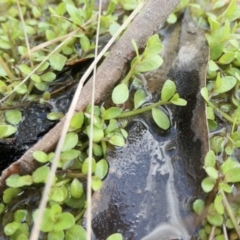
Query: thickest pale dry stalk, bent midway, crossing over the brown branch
pixel 36 227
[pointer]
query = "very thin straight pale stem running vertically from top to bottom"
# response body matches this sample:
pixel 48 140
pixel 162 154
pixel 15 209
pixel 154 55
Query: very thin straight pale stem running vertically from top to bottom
pixel 89 182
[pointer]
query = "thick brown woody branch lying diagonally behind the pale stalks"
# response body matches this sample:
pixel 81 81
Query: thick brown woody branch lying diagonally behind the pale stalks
pixel 151 18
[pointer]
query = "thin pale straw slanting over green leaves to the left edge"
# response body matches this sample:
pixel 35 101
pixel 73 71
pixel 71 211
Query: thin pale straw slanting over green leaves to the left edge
pixel 36 68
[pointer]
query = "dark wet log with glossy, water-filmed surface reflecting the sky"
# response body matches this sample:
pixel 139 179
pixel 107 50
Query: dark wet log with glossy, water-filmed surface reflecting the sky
pixel 153 179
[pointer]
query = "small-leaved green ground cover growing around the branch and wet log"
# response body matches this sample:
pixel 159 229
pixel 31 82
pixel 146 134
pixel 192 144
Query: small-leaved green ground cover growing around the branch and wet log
pixel 58 27
